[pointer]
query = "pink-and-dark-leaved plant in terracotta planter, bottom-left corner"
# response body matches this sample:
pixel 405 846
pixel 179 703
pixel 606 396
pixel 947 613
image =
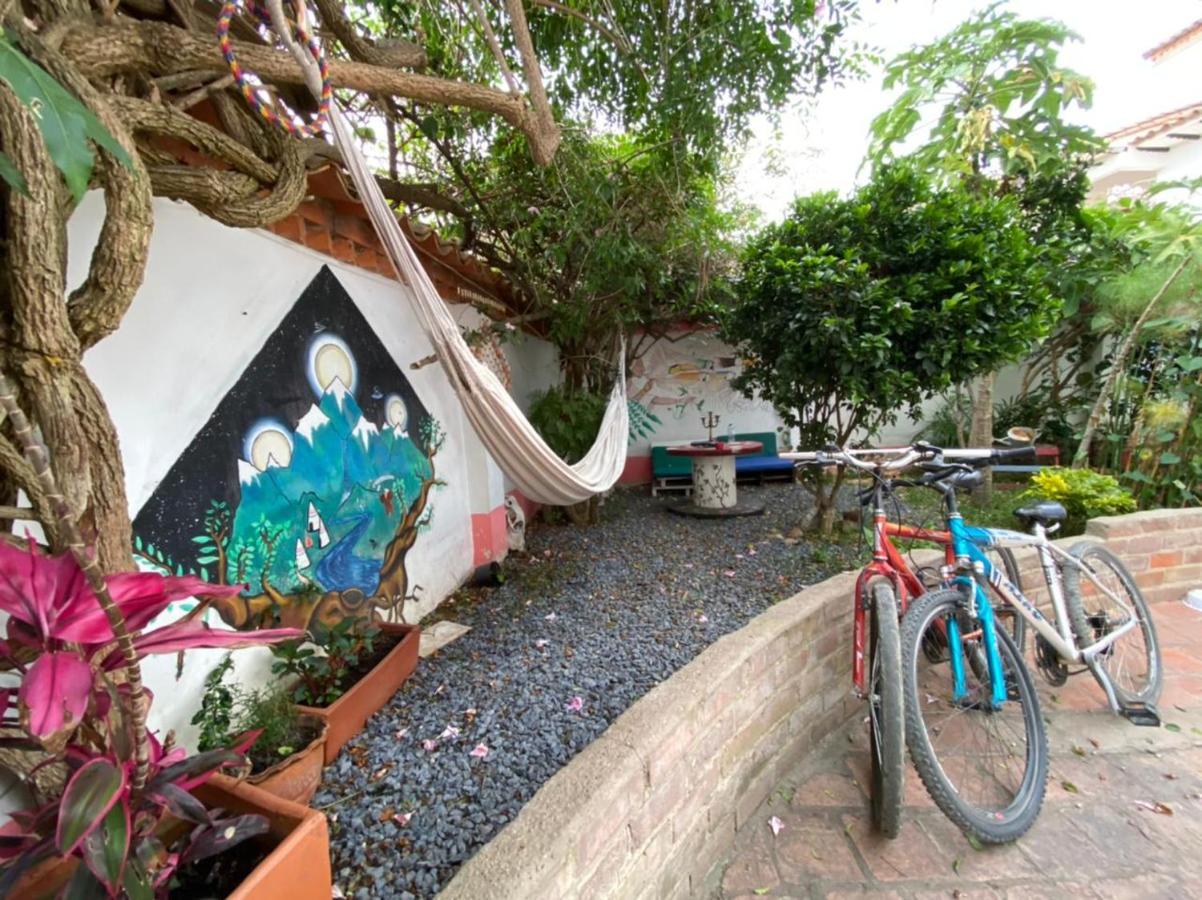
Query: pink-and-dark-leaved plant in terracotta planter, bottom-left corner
pixel 130 816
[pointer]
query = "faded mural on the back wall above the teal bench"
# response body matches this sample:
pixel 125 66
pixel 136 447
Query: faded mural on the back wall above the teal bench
pixel 673 379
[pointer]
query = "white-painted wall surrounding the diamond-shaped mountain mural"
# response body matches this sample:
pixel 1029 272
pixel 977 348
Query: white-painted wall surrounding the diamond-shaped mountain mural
pixel 211 299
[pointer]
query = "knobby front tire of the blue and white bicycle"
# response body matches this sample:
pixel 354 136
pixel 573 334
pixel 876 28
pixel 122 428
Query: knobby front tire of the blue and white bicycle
pixel 987 826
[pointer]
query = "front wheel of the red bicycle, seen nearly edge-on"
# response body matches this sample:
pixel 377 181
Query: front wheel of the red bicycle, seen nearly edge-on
pixel 886 711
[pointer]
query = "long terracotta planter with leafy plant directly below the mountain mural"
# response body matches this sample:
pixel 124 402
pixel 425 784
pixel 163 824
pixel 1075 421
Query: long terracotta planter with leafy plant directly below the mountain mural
pixel 361 666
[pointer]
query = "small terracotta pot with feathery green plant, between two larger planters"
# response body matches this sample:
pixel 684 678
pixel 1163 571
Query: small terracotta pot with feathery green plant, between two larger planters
pixel 289 750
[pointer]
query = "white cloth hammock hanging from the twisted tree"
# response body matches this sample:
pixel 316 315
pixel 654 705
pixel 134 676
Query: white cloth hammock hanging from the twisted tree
pixel 513 442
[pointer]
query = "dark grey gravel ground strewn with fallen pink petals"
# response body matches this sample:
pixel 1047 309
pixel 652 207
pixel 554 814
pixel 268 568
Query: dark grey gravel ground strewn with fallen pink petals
pixel 586 624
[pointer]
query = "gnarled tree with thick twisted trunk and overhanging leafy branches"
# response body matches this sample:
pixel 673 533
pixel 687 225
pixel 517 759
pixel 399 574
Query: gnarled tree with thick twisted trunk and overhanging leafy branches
pixel 121 96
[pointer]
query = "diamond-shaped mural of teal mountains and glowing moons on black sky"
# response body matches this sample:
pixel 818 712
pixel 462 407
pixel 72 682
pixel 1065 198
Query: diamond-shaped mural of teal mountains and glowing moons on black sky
pixel 312 480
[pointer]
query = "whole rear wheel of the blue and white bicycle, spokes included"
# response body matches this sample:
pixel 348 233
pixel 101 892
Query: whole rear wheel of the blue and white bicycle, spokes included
pixel 1133 663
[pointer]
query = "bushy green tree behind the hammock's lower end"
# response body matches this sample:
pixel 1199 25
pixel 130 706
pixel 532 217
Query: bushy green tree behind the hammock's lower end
pixel 617 236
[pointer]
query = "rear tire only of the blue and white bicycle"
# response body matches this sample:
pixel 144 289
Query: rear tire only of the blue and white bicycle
pixel 1084 616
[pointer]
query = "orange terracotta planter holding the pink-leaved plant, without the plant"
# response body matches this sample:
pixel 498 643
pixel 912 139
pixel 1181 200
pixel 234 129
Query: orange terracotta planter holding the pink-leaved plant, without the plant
pixel 297 867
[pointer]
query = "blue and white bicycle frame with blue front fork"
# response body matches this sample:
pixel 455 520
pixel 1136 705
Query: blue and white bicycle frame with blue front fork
pixel 967 547
